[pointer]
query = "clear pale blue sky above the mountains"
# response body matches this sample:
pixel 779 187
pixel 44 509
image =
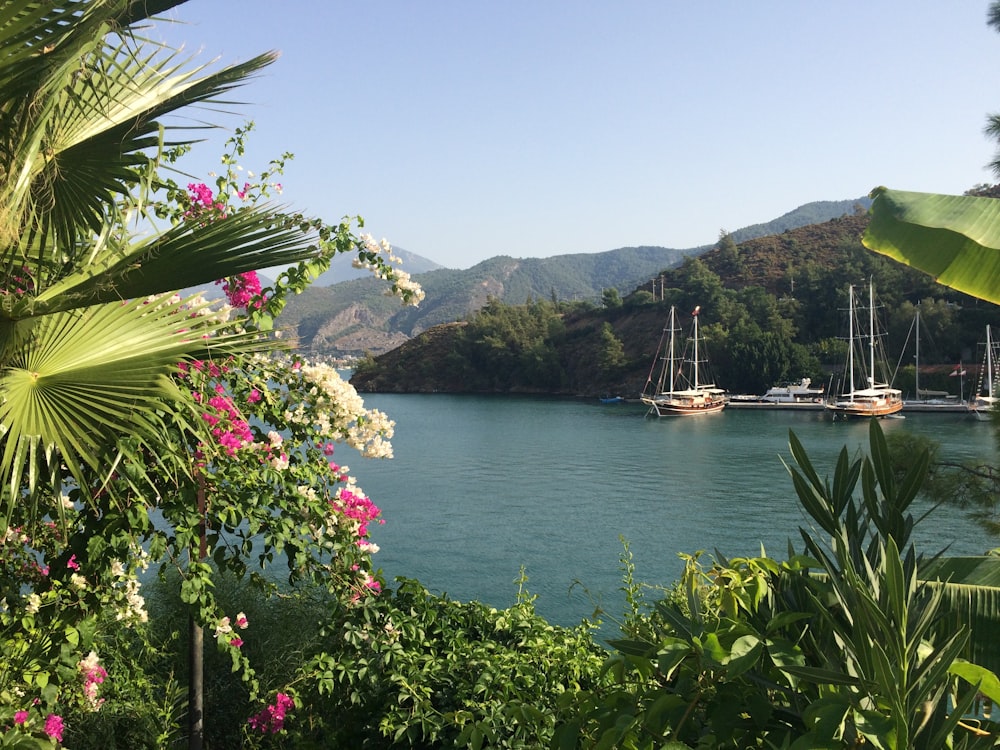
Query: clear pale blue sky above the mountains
pixel 461 130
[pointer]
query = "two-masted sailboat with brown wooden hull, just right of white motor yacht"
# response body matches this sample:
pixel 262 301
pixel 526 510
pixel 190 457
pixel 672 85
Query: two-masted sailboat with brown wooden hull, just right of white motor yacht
pixel 875 399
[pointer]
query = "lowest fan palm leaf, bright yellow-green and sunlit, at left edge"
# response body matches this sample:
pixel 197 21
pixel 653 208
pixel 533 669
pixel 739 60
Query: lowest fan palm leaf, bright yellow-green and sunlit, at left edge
pixel 88 377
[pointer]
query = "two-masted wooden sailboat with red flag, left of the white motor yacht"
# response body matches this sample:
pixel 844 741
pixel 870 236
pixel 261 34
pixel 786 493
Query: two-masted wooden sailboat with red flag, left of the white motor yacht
pixel 678 390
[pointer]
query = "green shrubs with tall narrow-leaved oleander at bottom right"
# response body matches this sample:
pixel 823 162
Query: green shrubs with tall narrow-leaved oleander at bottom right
pixel 839 646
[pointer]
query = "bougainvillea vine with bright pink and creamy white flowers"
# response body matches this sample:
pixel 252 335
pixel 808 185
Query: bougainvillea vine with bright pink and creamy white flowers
pixel 259 430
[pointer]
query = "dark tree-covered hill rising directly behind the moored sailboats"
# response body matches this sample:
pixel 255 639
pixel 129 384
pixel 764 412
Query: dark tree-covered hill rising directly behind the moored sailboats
pixel 772 310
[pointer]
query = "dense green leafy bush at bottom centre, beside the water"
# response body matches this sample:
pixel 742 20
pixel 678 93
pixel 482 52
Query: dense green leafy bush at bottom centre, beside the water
pixel 415 670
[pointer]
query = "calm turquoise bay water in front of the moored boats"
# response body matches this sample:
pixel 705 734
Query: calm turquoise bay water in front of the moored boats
pixel 481 486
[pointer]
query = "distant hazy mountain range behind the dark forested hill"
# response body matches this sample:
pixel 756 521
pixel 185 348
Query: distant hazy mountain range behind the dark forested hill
pixel 354 317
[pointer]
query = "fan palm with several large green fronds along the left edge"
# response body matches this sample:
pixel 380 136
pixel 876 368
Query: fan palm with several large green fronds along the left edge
pixel 80 136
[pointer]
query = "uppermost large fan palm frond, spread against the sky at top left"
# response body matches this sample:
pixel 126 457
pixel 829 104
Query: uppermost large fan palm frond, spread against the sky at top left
pixel 80 134
